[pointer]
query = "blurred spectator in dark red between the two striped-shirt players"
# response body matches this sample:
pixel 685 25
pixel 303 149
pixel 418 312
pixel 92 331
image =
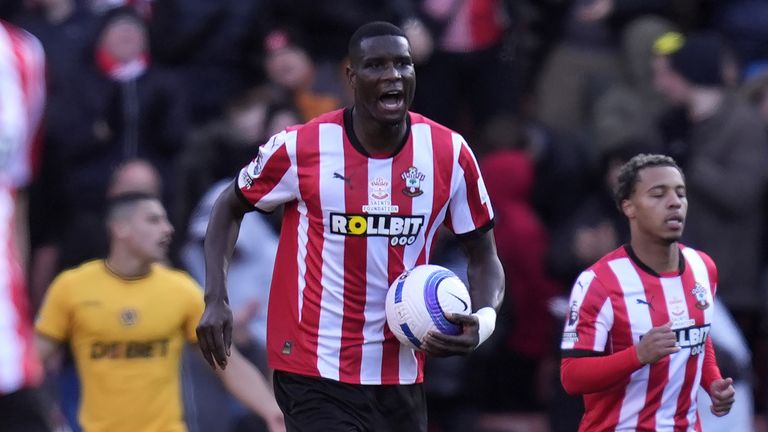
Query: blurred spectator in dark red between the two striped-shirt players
pixel 520 362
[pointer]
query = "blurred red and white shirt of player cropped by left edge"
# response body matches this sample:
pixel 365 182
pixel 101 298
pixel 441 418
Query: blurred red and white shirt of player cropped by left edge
pixel 22 94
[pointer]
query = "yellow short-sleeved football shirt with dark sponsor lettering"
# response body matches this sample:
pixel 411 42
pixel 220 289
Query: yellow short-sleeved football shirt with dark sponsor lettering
pixel 126 336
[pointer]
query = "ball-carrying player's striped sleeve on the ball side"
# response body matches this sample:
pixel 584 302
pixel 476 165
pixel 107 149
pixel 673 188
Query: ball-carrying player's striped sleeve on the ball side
pixel 470 208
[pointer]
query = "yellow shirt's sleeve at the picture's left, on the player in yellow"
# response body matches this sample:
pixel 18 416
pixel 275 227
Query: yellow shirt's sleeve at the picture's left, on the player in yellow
pixel 54 318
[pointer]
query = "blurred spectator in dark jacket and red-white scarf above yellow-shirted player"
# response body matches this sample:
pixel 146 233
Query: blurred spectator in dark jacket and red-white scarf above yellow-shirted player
pixel 121 108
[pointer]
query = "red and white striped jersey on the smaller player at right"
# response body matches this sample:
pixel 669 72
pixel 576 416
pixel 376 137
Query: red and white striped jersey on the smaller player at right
pixel 612 305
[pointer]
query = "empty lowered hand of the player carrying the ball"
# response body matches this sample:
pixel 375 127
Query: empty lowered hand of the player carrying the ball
pixel 214 333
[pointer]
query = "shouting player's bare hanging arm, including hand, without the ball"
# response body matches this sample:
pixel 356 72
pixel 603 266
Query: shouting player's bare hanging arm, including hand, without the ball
pixel 214 332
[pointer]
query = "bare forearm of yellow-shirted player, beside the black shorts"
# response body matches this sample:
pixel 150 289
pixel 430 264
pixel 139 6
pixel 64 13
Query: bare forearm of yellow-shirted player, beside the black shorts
pixel 249 386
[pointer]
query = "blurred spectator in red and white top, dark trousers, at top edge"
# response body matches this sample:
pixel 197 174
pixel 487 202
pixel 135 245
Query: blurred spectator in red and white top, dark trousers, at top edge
pixel 467 77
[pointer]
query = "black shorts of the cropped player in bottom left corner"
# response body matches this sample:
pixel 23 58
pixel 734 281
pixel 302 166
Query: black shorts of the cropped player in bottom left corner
pixel 23 411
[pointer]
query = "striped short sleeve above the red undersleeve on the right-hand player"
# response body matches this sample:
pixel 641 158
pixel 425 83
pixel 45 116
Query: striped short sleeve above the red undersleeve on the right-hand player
pixel 590 318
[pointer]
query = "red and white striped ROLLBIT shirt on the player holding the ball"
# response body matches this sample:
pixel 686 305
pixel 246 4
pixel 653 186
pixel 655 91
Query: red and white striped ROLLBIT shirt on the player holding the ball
pixel 352 223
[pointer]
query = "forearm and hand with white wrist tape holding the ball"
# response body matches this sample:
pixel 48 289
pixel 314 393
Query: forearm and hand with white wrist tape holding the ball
pixel 486 287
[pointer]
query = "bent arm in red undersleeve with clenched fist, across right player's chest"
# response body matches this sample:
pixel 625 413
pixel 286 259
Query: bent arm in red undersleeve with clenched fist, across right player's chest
pixel 584 372
